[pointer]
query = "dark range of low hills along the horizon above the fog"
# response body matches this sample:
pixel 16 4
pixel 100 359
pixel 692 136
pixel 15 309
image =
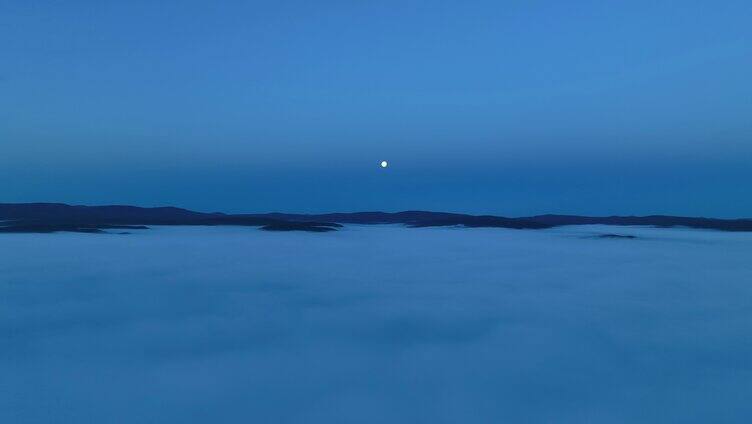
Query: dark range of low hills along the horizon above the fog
pixel 53 217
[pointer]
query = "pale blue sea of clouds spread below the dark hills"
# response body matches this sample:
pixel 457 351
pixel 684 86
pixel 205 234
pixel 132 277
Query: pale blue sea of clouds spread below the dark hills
pixel 376 324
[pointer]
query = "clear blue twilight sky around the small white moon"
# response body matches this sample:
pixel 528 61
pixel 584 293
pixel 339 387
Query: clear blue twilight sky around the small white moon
pixel 505 107
